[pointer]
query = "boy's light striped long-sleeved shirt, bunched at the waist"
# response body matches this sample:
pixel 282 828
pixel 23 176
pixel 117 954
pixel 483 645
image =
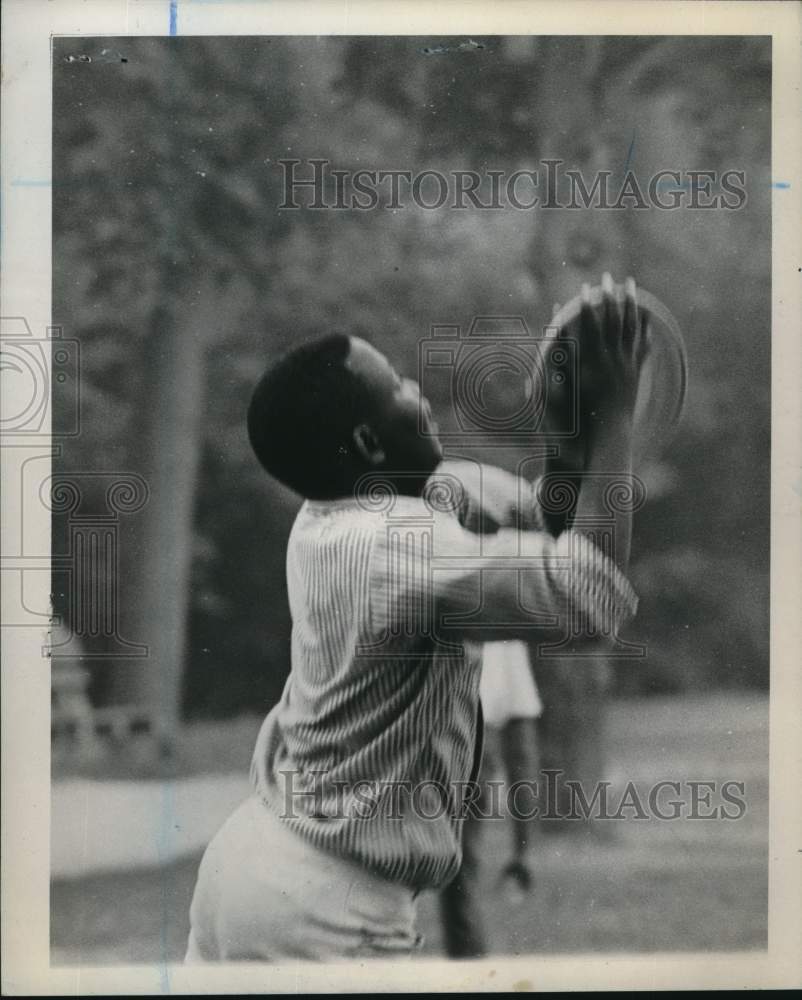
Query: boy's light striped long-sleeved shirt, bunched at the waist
pixel 375 740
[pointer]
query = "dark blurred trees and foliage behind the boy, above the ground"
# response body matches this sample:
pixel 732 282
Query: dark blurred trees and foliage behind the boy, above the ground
pixel 181 278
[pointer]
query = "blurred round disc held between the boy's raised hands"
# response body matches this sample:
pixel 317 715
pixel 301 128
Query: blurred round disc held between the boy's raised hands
pixel 664 375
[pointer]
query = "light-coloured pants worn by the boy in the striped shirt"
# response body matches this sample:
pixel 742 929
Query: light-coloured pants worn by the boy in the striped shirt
pixel 265 894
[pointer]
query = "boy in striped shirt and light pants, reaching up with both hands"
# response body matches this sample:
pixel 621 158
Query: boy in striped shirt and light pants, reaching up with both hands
pixel 361 772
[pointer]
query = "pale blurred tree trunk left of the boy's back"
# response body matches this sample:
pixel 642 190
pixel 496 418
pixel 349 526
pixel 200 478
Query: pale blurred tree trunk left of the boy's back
pixel 156 587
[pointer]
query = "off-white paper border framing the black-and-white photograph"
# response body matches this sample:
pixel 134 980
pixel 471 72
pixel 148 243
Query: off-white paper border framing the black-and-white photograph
pixel 25 235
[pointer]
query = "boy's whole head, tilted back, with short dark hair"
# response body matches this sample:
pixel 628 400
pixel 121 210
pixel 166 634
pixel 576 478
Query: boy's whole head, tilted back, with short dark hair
pixel 334 409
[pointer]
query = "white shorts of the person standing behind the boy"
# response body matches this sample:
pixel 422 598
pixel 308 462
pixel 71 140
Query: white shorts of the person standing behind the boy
pixel 507 686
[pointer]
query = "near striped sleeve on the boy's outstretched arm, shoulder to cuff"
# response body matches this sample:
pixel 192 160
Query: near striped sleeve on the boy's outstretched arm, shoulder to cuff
pixel 429 575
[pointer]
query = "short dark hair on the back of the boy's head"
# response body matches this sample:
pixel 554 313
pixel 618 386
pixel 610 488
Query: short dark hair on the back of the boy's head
pixel 302 415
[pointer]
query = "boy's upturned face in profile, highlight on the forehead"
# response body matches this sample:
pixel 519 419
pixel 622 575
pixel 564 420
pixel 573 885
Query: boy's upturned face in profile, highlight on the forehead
pixel 400 417
